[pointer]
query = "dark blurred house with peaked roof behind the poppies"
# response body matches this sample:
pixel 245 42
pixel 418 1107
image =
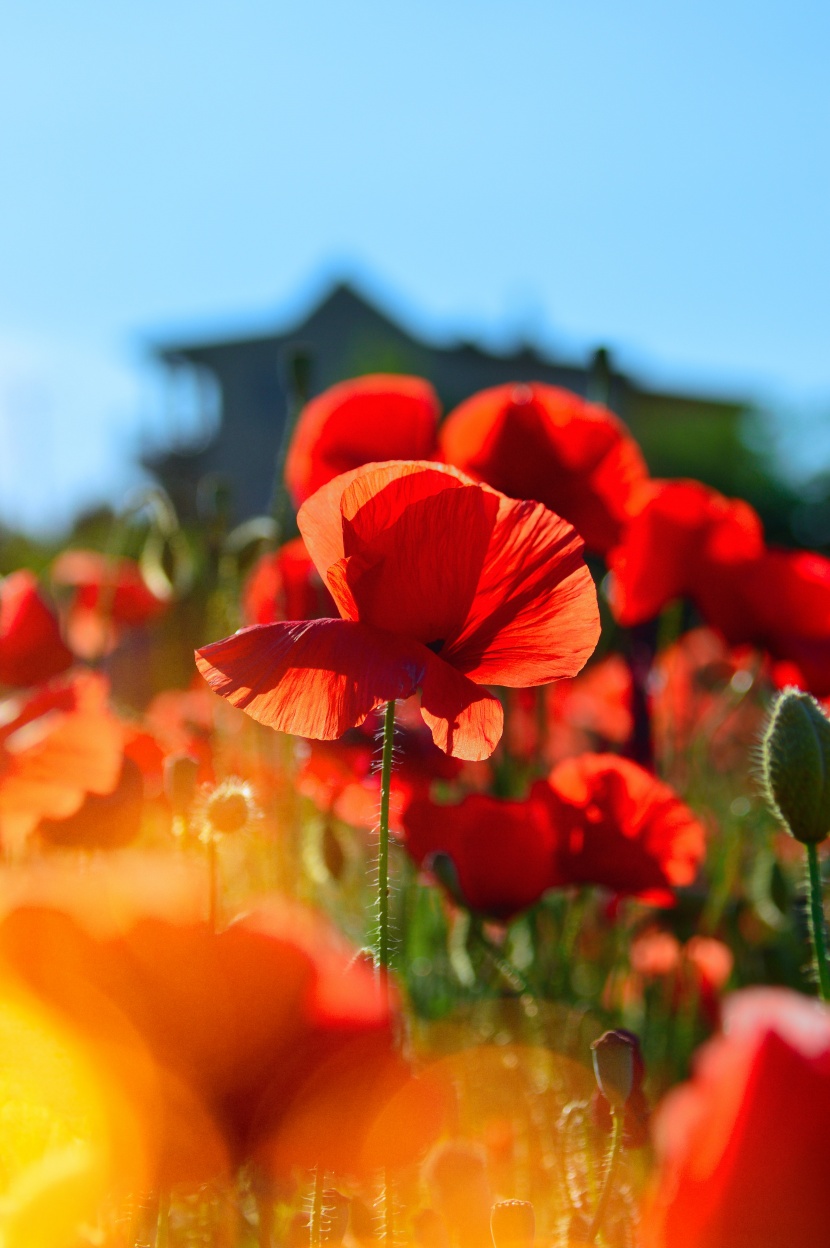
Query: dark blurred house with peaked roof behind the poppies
pixel 242 385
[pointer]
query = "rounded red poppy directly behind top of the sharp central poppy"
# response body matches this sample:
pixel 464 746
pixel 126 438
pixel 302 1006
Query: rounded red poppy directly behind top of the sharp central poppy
pixel 369 420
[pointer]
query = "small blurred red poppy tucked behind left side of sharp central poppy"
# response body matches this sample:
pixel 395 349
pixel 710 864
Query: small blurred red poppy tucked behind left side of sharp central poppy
pixel 285 586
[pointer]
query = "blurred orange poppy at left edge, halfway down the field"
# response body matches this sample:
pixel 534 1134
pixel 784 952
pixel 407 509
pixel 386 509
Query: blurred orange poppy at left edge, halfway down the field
pixel 58 746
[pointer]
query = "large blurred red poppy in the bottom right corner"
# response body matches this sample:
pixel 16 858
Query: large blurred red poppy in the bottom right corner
pixel 743 1159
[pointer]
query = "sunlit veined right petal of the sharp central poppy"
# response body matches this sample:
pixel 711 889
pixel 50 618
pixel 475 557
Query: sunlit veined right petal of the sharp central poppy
pixel 535 617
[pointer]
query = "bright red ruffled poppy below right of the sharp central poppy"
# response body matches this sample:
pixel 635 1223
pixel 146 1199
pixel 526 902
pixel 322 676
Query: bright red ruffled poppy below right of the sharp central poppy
pixel 620 828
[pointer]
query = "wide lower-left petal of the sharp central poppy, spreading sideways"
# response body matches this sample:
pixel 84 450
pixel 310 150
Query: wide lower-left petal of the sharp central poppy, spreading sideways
pixel 316 678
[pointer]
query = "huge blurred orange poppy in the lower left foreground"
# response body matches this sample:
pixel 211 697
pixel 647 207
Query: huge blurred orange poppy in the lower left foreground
pixel 265 1040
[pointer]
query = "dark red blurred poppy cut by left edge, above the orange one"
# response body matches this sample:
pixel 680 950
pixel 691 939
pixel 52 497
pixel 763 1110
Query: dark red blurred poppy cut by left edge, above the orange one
pixel 32 648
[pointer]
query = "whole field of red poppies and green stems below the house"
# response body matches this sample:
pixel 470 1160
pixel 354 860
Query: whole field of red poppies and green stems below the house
pixel 464 892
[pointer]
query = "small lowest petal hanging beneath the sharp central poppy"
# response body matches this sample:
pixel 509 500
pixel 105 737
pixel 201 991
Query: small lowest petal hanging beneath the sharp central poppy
pixel 464 718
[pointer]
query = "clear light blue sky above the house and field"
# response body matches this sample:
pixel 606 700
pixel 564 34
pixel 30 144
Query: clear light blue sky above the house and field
pixel 647 175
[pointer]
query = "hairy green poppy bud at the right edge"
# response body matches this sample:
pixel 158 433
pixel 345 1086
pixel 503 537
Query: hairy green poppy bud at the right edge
pixel 796 766
